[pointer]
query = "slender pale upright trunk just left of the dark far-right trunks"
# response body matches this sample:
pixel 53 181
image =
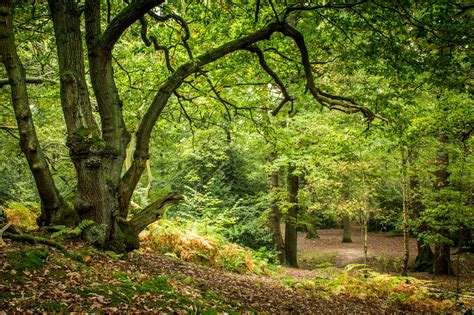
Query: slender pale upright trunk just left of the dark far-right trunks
pixel 406 240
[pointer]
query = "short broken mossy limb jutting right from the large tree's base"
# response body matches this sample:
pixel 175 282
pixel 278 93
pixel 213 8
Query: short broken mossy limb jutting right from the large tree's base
pixel 153 212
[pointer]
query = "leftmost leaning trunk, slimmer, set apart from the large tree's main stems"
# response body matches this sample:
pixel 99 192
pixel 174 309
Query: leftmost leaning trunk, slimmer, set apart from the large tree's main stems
pixel 54 210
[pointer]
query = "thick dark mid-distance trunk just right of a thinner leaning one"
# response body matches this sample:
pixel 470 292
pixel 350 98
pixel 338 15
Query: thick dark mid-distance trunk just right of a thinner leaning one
pixel 291 235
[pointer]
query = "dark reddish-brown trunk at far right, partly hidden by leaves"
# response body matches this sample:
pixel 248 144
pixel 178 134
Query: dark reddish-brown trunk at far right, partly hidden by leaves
pixel 442 263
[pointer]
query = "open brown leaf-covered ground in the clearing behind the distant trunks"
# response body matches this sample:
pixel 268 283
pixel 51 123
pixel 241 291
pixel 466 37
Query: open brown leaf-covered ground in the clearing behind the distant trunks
pixel 385 252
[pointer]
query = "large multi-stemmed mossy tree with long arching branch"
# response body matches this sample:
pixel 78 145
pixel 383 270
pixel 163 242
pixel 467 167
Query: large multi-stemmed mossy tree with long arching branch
pixel 86 36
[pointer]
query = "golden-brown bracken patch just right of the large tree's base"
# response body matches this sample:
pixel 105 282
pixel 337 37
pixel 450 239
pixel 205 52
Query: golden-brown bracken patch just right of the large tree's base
pixel 200 243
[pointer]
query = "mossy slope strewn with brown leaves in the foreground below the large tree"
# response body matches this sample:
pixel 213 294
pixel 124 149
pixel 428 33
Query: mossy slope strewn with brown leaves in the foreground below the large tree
pixel 39 278
